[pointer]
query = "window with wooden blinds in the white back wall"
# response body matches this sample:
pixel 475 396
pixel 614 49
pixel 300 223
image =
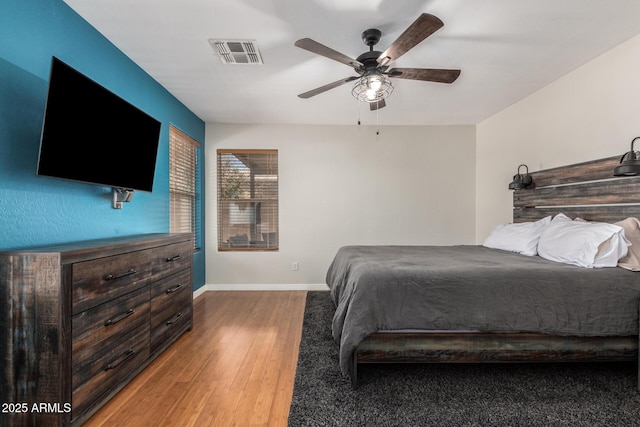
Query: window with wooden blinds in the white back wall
pixel 247 200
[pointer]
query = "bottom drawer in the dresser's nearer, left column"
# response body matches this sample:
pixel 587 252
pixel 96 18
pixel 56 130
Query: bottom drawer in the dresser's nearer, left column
pixel 95 378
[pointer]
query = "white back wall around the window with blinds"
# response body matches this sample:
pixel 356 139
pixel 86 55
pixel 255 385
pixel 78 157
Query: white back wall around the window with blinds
pixel 344 185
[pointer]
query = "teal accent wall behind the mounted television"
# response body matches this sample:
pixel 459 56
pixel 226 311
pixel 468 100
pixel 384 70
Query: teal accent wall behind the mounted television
pixel 38 210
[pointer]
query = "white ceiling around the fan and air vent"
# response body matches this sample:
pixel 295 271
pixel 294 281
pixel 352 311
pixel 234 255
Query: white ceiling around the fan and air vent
pixel 506 49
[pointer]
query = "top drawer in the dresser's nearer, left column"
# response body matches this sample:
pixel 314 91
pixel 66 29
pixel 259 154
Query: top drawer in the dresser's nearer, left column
pixel 102 279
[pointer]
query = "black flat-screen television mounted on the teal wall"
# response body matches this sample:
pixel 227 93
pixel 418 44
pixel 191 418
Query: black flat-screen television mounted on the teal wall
pixel 90 134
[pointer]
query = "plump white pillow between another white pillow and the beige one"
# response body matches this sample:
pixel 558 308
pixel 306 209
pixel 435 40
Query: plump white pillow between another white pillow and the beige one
pixel 581 243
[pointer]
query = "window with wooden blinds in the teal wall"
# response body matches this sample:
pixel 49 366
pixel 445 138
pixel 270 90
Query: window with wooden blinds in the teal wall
pixel 183 185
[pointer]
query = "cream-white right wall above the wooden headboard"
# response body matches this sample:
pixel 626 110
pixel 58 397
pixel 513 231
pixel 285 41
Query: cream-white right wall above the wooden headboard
pixel 590 113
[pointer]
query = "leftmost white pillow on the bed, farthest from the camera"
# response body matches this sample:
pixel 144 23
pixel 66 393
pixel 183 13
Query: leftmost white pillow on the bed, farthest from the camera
pixel 521 238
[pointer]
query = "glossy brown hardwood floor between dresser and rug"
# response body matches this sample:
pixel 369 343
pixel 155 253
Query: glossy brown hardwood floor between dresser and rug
pixel 235 368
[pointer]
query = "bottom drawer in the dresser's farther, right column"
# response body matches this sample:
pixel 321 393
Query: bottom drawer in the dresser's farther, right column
pixel 168 324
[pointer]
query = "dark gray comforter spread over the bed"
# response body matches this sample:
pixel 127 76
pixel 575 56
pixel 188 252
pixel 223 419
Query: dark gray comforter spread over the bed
pixel 378 288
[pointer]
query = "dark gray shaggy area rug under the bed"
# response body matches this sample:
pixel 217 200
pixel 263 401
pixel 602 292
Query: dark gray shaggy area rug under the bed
pixel 554 394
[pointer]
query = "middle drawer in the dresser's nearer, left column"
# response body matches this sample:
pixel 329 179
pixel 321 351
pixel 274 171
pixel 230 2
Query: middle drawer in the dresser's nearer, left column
pixel 102 326
